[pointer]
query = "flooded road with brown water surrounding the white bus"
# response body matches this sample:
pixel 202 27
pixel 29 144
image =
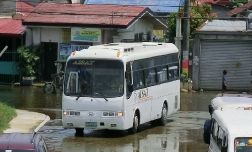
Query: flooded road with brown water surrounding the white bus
pixel 182 133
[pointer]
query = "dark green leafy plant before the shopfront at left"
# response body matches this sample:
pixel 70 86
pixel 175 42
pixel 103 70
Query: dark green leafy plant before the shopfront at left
pixel 28 64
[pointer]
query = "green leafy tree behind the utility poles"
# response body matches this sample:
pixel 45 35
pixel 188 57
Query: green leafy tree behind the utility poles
pixel 198 15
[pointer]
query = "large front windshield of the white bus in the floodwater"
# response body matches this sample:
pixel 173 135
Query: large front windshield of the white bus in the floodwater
pixel 94 78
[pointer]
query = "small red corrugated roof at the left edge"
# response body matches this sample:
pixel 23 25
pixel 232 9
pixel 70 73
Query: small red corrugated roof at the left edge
pixel 9 26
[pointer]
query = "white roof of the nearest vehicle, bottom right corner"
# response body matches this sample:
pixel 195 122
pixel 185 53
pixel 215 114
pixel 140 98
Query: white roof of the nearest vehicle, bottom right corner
pixel 235 122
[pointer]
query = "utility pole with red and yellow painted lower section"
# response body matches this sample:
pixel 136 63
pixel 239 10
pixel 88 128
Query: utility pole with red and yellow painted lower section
pixel 186 33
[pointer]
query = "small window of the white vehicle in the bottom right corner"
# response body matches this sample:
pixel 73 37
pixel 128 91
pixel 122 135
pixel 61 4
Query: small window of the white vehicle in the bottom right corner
pixel 243 144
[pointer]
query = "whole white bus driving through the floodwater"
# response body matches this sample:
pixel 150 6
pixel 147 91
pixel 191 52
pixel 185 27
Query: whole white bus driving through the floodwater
pixel 149 90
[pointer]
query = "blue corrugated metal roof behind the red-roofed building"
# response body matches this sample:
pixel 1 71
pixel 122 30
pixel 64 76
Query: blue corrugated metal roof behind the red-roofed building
pixel 157 6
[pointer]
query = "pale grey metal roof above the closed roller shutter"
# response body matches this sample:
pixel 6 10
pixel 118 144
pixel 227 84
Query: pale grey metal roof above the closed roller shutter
pixel 223 25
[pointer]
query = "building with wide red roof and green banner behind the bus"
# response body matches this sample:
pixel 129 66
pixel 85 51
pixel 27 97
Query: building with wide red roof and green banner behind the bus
pixel 63 28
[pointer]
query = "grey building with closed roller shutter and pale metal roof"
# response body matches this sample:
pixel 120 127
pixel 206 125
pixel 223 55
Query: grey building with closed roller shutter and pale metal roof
pixel 222 45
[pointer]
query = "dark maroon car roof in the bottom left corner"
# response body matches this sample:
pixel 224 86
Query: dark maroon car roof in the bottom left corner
pixel 16 141
